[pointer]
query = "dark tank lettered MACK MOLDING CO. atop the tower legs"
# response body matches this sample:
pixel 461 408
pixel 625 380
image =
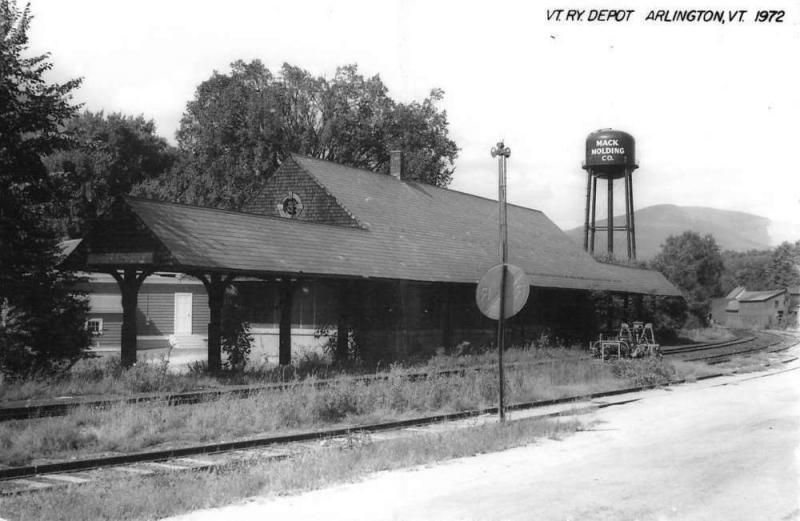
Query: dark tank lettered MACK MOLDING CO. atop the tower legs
pixel 609 152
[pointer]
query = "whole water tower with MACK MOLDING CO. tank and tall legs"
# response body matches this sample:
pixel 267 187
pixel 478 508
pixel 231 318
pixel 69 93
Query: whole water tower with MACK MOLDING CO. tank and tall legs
pixel 610 155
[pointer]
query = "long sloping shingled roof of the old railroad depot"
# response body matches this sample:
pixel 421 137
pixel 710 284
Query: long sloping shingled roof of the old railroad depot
pixel 409 231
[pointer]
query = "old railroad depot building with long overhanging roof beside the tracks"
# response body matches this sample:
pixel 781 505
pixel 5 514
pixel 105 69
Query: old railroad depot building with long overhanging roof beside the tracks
pixel 334 249
